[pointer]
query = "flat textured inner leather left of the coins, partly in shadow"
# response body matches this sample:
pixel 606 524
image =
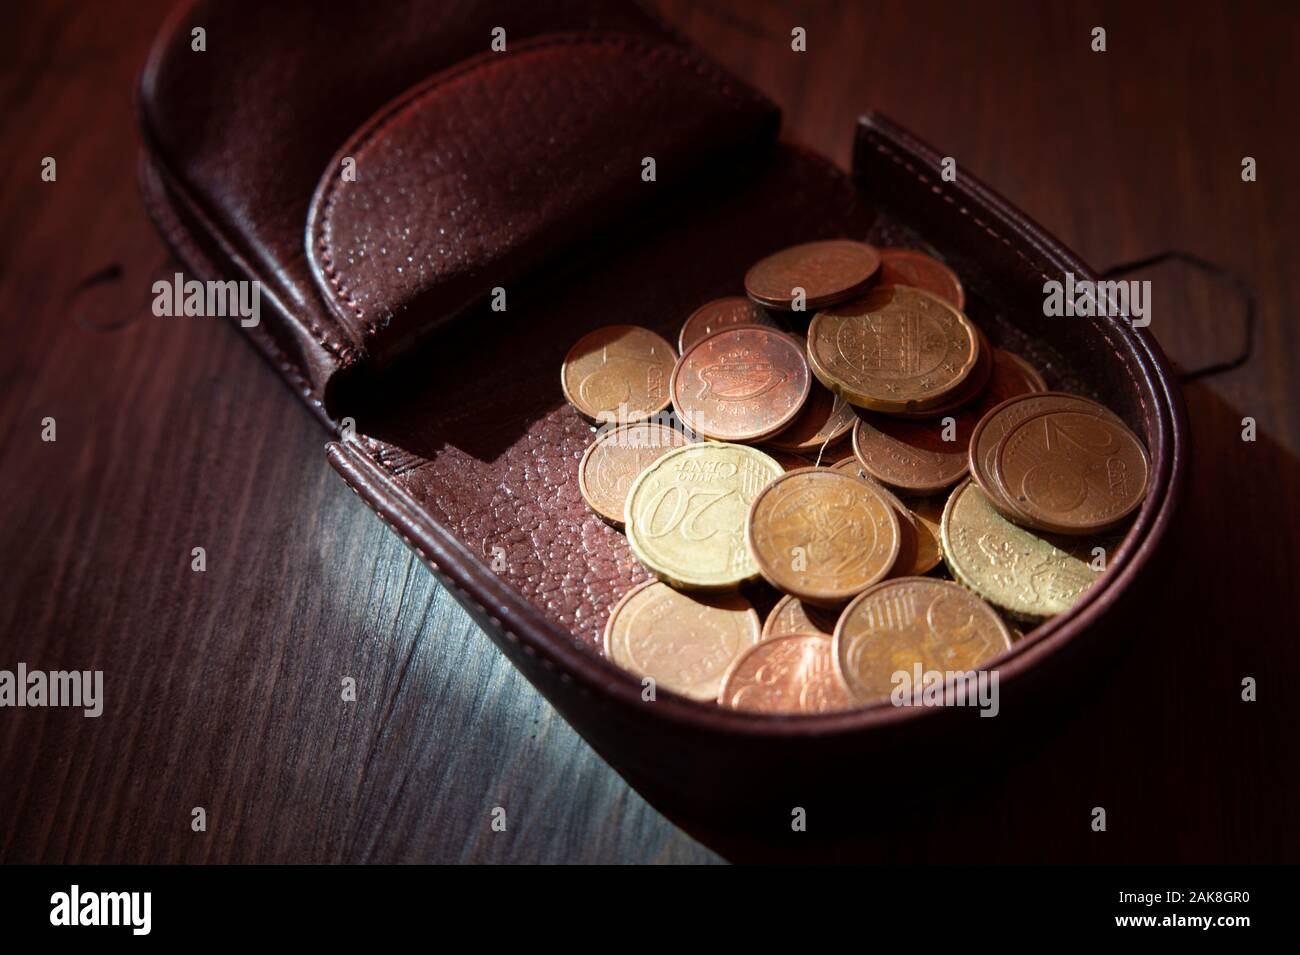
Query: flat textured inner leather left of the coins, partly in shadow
pixel 489 446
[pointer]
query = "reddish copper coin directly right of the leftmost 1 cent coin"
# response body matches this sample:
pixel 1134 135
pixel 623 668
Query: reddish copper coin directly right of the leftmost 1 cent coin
pixel 742 384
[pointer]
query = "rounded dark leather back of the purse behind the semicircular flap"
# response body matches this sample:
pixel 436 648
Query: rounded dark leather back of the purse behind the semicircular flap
pixel 241 134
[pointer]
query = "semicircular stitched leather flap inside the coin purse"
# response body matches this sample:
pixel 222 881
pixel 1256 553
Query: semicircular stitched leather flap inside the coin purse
pixel 506 160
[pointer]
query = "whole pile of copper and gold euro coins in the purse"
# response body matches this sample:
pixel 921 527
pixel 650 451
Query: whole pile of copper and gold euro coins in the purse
pixel 843 467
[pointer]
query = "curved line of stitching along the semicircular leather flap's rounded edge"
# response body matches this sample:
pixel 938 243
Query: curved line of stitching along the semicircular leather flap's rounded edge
pixel 651 50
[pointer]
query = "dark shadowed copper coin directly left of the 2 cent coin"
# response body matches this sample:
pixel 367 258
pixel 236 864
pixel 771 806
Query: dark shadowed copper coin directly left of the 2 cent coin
pixel 909 457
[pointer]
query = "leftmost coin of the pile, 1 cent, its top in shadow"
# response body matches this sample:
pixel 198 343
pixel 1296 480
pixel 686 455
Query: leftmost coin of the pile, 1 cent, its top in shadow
pixel 618 375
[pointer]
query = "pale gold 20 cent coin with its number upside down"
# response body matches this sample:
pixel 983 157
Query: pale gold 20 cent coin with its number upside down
pixel 686 515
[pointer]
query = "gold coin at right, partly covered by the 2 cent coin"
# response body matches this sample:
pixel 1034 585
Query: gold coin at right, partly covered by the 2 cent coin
pixel 1019 571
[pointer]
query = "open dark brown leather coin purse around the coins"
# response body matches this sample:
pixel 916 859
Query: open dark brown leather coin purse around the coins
pixel 522 171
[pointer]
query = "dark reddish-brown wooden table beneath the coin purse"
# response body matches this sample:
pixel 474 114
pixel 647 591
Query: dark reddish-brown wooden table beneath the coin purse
pixel 223 689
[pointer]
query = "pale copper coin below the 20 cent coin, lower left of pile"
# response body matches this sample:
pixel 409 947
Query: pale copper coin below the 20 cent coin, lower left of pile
pixel 684 643
